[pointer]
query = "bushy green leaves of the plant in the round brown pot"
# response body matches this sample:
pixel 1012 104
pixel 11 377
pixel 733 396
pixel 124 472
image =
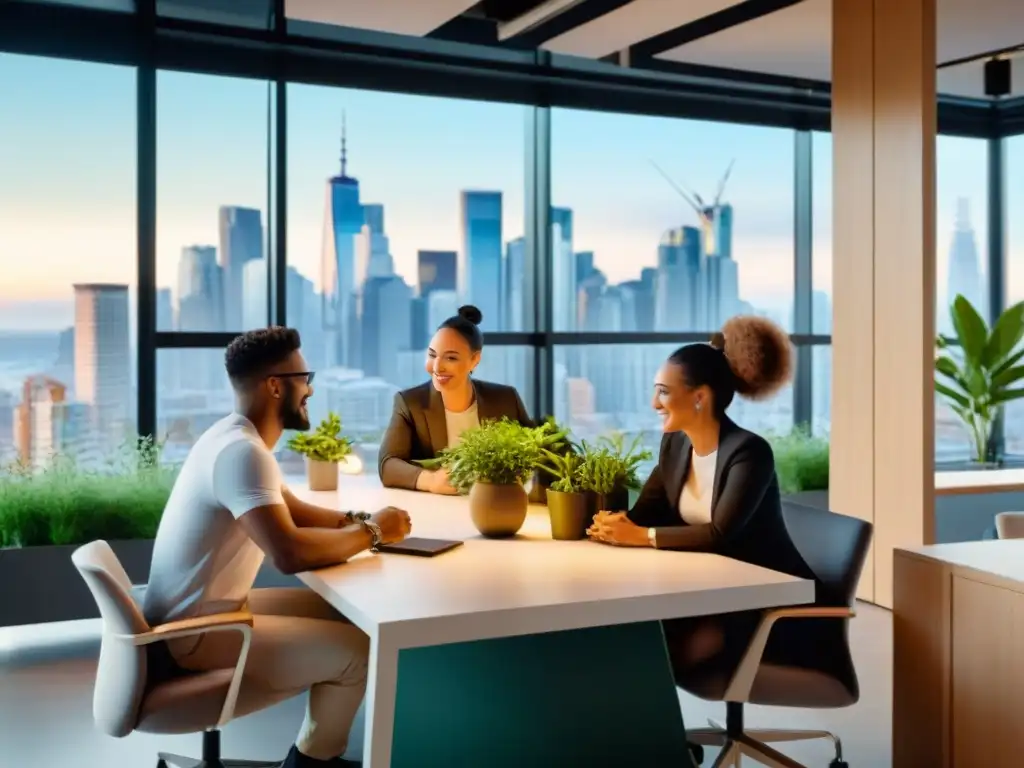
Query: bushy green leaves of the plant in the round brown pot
pixel 502 453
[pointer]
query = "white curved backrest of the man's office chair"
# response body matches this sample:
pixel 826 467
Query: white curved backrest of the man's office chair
pixel 122 671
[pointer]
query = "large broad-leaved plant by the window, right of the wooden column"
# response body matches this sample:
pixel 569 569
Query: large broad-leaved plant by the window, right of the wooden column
pixel 980 372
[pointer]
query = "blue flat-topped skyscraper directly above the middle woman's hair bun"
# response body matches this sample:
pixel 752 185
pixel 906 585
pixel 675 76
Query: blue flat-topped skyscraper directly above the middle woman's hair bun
pixel 480 270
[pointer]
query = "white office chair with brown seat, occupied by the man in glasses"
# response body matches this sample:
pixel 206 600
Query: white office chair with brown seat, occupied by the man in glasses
pixel 138 687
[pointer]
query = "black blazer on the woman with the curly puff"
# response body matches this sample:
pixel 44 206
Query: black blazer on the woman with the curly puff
pixel 746 509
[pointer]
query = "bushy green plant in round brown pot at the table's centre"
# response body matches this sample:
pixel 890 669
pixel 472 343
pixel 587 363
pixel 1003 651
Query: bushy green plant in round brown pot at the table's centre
pixel 491 463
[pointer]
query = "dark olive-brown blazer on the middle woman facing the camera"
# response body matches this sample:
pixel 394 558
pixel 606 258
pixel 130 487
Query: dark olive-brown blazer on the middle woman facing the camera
pixel 418 430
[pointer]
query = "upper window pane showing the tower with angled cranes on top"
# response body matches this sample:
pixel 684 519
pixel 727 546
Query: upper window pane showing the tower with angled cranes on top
pixel 664 225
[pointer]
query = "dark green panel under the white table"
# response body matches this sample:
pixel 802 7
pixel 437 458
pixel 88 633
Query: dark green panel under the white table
pixel 593 698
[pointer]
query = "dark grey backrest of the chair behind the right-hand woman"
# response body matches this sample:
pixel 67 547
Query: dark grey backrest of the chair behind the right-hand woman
pixel 834 547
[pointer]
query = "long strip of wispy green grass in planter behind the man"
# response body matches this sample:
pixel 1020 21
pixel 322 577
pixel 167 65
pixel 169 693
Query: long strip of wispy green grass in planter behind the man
pixel 67 504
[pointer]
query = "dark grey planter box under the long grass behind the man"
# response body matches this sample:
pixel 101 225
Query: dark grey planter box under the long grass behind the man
pixel 40 584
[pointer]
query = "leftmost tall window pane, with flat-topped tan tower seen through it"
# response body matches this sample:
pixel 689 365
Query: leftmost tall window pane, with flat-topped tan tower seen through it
pixel 68 260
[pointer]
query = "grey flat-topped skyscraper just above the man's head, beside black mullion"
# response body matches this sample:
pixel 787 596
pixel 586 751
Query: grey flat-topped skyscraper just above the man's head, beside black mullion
pixel 241 243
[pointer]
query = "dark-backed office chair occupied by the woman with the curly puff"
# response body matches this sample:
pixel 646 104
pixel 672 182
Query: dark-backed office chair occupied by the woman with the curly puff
pixel 834 548
